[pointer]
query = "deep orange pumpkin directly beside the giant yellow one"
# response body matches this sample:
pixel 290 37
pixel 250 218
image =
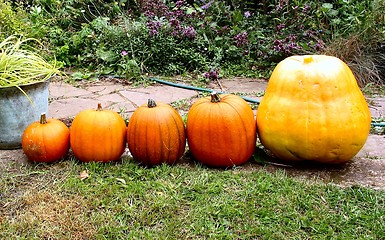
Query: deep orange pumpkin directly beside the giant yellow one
pixel 221 130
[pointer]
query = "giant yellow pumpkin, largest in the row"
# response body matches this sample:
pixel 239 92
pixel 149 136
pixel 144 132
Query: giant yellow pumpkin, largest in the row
pixel 313 110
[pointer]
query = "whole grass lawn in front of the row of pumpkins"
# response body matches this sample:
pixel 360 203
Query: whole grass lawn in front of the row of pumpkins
pixel 186 201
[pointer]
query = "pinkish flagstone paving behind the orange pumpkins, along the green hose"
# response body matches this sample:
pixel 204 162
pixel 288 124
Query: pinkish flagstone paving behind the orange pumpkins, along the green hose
pixel 67 100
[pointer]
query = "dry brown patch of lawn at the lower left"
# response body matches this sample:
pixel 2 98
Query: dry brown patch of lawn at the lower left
pixel 52 216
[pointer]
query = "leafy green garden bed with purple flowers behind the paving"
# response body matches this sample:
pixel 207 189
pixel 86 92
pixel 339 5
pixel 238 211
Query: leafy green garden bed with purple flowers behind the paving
pixel 129 37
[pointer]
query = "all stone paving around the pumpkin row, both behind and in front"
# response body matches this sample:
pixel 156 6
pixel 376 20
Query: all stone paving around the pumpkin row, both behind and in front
pixel 367 168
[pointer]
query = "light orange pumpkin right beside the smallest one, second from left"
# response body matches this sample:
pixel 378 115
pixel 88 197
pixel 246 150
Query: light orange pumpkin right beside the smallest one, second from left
pixel 98 135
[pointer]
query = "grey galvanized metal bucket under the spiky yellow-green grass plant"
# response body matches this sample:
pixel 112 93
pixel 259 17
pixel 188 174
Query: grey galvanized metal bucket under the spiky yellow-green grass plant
pixel 17 112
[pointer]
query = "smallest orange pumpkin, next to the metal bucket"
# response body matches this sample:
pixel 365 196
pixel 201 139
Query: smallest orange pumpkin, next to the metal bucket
pixel 47 140
